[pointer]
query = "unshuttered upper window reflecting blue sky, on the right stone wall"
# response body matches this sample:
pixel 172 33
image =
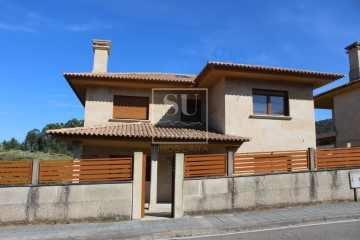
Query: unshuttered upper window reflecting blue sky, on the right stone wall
pixel 270 102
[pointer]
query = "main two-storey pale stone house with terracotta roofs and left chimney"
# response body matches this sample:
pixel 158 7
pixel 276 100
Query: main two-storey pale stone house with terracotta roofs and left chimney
pixel 250 109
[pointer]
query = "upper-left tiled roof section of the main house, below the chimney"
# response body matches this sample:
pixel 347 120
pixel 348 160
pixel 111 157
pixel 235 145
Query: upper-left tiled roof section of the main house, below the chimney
pixel 150 76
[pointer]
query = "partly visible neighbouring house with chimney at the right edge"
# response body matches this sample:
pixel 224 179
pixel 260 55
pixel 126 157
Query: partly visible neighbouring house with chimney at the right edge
pixel 344 103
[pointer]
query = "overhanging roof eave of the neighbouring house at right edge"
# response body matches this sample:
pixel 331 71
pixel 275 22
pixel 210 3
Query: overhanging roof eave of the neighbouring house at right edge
pixel 325 100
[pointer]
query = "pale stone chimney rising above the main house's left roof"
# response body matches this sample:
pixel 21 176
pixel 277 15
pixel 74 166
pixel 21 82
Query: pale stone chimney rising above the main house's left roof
pixel 101 54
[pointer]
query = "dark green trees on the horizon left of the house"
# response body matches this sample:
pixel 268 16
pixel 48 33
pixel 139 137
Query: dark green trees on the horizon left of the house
pixel 39 141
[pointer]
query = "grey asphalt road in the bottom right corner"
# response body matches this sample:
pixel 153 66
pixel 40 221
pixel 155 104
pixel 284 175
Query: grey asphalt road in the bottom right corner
pixel 328 231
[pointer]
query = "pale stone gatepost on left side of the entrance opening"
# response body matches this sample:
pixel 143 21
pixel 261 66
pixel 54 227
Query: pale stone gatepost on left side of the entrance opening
pixel 137 186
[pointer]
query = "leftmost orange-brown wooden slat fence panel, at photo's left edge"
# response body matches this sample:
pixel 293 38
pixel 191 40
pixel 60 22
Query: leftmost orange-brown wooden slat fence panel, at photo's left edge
pixel 15 172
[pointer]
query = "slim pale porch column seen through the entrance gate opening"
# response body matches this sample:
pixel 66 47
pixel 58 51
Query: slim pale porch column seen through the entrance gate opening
pixel 154 174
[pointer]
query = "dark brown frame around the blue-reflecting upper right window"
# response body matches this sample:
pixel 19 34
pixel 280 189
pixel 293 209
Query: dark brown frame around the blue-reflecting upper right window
pixel 272 93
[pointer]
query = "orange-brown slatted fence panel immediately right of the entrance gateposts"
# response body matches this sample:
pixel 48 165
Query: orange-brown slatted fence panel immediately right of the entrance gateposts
pixel 205 165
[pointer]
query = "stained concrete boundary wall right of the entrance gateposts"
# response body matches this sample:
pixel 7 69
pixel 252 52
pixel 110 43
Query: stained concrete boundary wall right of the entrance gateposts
pixel 273 190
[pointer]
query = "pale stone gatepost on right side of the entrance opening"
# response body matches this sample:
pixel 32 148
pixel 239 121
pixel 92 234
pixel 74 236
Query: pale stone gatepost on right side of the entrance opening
pixel 179 180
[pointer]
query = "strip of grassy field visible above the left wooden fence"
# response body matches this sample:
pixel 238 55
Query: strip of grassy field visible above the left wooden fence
pixel 25 155
